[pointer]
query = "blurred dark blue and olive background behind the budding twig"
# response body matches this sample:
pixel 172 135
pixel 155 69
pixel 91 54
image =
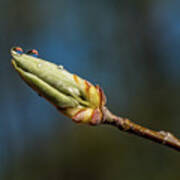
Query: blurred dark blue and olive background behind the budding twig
pixel 130 48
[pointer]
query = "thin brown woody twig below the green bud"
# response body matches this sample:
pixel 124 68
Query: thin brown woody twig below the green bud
pixel 124 124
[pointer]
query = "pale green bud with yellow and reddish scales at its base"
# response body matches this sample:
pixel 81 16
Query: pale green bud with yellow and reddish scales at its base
pixel 72 95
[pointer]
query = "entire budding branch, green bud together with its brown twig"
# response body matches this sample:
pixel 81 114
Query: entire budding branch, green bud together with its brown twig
pixel 76 97
